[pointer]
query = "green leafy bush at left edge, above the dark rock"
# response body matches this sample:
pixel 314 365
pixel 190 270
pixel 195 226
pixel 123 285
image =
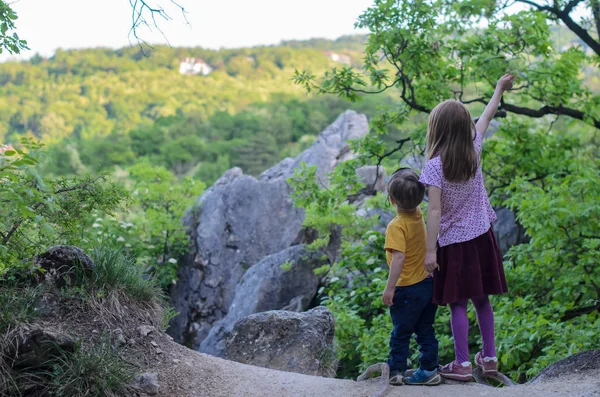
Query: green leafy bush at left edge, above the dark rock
pixel 37 211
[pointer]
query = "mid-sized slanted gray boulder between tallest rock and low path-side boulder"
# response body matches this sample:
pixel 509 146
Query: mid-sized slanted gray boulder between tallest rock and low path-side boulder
pixel 268 285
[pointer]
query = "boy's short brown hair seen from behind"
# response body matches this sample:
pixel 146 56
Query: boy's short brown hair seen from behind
pixel 404 187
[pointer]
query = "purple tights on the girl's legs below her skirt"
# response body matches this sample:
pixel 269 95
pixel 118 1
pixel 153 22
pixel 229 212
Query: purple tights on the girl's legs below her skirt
pixel 460 327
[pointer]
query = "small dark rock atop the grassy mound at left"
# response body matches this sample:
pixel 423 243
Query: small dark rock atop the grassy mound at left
pixel 58 263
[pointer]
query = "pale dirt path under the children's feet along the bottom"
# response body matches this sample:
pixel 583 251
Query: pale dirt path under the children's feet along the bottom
pixel 183 372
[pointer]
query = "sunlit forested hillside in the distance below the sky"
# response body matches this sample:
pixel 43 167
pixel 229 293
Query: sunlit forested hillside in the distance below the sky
pixel 100 108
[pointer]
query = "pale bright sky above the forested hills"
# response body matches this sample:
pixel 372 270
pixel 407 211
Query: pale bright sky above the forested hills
pixel 51 24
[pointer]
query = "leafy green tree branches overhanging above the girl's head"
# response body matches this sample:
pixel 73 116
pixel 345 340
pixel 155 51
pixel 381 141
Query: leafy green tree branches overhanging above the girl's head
pixel 434 50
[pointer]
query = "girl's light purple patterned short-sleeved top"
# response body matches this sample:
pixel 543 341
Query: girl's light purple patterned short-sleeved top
pixel 466 209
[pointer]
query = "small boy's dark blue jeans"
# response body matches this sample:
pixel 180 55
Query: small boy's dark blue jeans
pixel 413 313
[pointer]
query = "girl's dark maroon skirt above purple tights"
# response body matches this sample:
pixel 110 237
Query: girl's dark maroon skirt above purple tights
pixel 469 269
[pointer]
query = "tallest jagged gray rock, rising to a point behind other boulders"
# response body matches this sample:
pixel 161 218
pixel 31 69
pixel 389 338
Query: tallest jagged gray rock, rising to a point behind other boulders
pixel 240 221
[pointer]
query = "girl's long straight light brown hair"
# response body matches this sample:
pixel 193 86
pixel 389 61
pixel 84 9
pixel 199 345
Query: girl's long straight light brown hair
pixel 450 136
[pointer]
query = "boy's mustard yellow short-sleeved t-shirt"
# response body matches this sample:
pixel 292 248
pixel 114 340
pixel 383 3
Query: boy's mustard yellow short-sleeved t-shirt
pixel 406 233
